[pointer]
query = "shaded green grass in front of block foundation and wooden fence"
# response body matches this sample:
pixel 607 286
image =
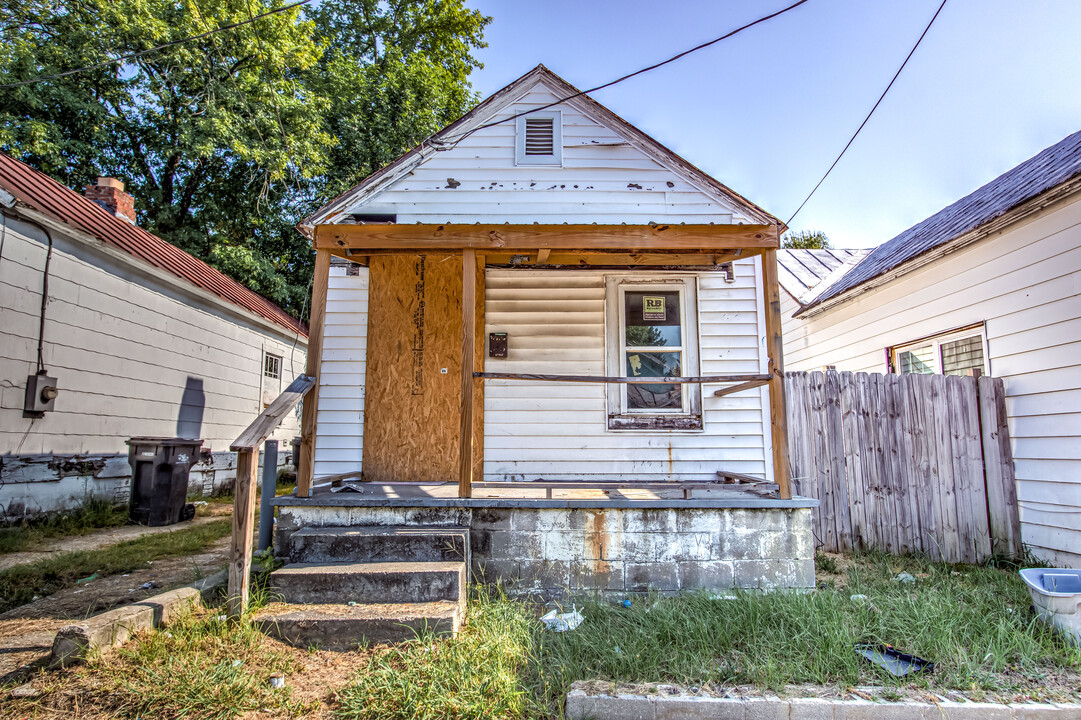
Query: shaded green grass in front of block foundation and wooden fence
pixel 975 623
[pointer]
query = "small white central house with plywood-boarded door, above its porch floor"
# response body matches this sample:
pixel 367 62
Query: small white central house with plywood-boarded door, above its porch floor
pixel 554 312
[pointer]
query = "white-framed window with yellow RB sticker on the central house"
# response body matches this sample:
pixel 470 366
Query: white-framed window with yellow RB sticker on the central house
pixel 653 334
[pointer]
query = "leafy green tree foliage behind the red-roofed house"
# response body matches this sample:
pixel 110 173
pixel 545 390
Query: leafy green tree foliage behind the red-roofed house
pixel 229 141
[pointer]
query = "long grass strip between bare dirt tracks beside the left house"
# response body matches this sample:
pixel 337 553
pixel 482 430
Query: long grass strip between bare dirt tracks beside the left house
pixel 20 584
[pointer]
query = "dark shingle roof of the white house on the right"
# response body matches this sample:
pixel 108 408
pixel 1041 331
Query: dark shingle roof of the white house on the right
pixel 1051 168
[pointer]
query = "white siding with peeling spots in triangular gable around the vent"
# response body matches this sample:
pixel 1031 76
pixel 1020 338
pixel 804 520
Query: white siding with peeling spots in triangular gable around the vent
pixel 600 180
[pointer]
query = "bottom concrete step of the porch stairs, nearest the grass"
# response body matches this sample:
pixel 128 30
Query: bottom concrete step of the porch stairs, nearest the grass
pixel 344 628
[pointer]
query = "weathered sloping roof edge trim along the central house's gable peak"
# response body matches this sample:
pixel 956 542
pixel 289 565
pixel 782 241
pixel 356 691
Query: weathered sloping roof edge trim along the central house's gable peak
pixel 453 134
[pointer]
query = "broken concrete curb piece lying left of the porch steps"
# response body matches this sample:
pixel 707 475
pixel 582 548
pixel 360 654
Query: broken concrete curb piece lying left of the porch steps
pixel 111 630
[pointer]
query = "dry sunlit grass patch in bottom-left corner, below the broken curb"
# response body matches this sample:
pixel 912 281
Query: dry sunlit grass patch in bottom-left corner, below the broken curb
pixel 198 668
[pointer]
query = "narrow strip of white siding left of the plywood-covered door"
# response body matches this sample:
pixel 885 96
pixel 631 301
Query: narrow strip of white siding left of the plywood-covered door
pixel 340 431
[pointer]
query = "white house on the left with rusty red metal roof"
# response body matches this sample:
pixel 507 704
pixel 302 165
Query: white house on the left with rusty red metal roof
pixel 142 339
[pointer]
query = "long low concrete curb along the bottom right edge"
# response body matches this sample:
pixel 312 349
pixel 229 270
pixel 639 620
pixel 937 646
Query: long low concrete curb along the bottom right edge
pixel 672 703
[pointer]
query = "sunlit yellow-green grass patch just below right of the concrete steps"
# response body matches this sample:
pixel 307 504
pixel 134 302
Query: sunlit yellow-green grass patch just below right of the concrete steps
pixel 487 672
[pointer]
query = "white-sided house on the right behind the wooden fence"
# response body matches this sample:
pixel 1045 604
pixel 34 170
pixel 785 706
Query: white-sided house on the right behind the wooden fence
pixel 990 285
